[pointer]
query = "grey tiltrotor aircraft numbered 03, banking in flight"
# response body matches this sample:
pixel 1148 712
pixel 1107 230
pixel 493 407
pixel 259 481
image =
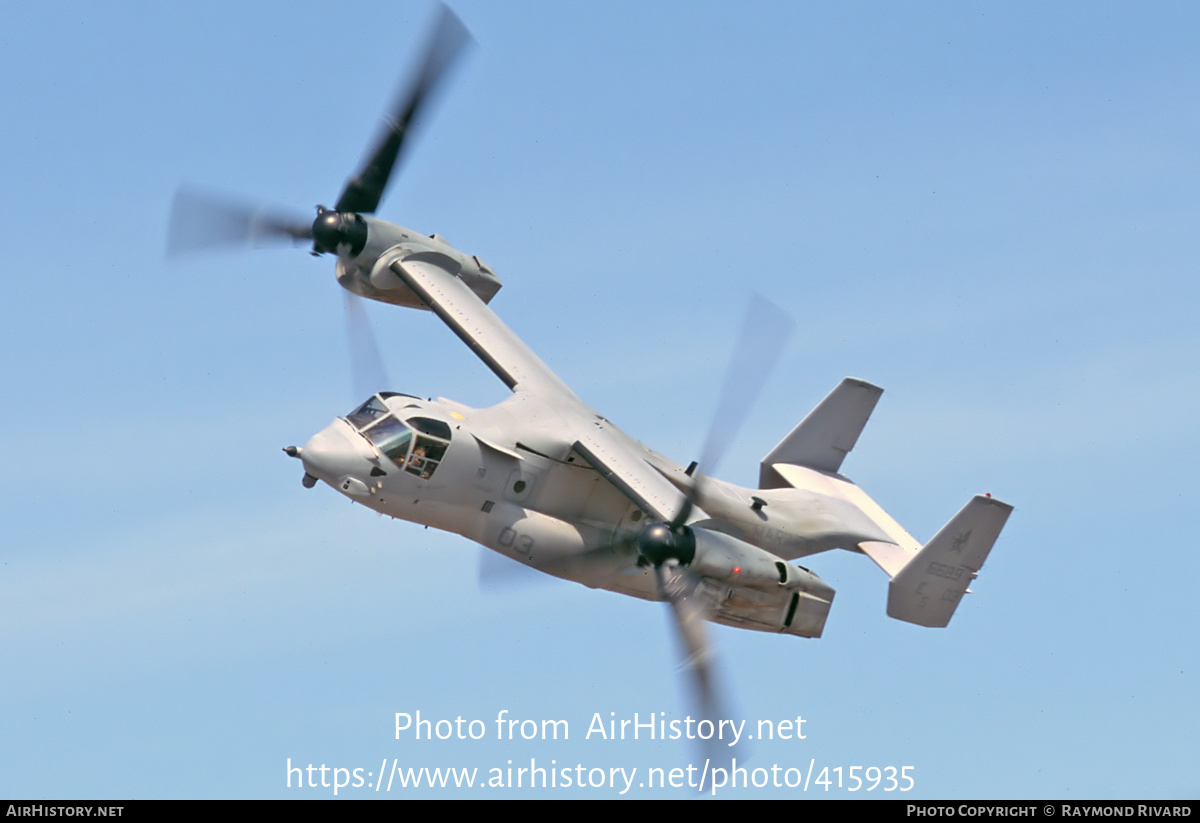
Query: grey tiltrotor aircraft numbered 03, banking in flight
pixel 547 482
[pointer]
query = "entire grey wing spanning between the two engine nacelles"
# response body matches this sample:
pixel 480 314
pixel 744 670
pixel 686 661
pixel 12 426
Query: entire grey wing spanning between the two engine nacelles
pixel 613 453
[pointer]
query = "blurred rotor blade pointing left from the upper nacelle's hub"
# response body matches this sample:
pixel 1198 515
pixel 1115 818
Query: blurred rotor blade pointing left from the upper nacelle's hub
pixel 202 223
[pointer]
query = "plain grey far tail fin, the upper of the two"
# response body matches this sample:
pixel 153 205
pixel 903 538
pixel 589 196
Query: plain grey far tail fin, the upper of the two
pixel 827 435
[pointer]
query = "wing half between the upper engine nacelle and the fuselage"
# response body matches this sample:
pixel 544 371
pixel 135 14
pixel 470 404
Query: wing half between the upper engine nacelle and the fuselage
pixel 479 328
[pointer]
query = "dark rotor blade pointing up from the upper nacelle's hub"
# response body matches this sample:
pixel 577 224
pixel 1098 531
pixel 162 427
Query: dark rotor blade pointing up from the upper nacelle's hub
pixel 365 191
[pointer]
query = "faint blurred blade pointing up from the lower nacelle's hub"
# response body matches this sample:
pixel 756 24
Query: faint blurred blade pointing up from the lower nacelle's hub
pixel 761 341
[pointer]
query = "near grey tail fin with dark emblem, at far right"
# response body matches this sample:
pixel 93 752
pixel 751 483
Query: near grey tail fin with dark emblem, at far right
pixel 929 587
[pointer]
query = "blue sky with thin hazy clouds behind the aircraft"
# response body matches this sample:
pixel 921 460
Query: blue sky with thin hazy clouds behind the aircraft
pixel 987 209
